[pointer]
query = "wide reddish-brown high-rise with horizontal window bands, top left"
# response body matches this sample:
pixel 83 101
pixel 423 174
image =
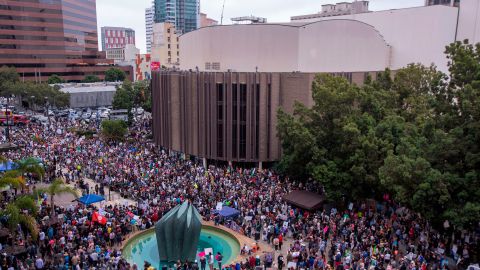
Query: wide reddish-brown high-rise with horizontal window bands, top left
pixel 41 38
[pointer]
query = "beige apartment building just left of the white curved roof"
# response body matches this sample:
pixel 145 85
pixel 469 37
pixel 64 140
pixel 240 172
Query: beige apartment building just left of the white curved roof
pixel 165 45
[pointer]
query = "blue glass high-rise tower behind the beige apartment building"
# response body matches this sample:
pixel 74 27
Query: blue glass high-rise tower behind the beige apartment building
pixel 185 14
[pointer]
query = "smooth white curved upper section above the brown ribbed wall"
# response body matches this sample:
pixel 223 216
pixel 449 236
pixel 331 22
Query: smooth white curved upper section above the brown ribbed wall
pixel 360 42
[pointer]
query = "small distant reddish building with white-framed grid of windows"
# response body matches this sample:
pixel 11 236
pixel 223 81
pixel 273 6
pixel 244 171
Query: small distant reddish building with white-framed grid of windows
pixel 117 37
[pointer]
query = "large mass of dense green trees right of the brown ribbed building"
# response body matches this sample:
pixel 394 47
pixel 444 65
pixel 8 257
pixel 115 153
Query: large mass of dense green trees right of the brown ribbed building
pixel 414 135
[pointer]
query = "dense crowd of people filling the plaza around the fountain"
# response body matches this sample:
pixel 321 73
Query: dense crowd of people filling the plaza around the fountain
pixel 364 236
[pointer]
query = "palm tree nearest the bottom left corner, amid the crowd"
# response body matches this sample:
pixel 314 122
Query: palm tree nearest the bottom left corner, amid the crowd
pixel 15 214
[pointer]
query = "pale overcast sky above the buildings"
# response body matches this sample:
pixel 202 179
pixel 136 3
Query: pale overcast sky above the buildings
pixel 131 13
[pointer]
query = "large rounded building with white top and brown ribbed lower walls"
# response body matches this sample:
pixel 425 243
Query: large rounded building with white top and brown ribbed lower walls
pixel 222 105
